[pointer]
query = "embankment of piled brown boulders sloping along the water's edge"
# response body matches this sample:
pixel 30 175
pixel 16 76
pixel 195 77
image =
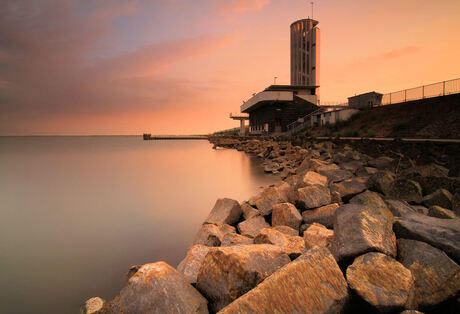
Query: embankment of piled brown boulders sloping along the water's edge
pixel 343 233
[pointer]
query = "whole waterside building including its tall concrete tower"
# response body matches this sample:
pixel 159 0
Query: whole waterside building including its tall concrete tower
pixel 278 107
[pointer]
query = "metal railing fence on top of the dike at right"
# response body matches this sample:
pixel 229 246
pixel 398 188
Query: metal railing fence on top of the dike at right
pixel 422 92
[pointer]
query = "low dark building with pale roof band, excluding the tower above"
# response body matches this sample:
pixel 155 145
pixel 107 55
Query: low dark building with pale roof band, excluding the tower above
pixel 272 110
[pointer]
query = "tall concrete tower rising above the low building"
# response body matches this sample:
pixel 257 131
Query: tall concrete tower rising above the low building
pixel 305 40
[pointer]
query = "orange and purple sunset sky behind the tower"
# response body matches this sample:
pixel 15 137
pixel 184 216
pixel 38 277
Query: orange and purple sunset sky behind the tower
pixel 73 67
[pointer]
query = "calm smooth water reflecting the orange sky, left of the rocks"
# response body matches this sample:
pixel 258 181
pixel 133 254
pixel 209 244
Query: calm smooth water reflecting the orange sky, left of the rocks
pixel 76 212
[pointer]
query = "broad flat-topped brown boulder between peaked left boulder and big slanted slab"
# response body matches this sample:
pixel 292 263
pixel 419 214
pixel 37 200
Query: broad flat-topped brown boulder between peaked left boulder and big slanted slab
pixel 229 272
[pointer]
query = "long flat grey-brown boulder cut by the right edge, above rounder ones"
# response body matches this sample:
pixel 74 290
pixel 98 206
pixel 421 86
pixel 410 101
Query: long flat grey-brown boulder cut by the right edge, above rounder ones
pixel 443 234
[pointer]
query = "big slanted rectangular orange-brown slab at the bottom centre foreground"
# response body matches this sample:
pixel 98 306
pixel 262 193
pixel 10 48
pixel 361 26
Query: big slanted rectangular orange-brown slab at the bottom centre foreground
pixel 313 283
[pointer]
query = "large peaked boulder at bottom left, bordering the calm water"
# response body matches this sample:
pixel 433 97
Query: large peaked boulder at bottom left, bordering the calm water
pixel 158 288
